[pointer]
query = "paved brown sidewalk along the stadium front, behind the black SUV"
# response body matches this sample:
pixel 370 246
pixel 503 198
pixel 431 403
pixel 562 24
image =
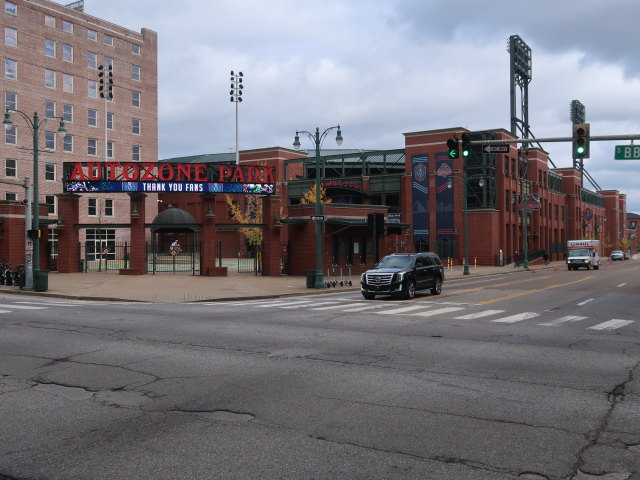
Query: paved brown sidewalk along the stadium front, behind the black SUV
pixel 168 288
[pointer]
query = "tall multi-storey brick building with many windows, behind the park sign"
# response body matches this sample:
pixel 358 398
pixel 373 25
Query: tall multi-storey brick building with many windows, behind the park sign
pixel 51 55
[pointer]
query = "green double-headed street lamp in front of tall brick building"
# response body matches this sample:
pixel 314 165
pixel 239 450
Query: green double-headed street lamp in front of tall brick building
pixel 35 124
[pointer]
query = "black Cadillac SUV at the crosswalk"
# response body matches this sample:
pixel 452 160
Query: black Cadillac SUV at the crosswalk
pixel 401 274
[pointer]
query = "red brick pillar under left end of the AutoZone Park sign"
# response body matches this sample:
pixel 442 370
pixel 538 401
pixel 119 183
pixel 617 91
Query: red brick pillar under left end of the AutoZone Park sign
pixel 68 235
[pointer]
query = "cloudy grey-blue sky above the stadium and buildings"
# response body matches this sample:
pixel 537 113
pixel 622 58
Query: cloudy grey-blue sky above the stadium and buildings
pixel 381 68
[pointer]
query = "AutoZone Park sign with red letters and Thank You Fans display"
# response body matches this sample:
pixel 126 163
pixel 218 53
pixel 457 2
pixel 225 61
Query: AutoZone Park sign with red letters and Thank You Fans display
pixel 147 177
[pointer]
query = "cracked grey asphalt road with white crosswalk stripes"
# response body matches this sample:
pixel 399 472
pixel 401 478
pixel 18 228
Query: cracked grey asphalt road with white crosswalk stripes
pixel 522 376
